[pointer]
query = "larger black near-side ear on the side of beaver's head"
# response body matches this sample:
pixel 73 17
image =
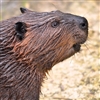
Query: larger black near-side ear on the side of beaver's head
pixel 20 28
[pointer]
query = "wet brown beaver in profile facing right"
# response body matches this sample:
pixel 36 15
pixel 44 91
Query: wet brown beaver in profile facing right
pixel 31 44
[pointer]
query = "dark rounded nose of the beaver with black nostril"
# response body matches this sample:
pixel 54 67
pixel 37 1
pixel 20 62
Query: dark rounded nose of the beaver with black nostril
pixel 83 23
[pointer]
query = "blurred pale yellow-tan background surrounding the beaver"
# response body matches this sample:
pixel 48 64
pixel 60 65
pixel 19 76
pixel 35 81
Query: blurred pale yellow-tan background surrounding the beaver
pixel 77 78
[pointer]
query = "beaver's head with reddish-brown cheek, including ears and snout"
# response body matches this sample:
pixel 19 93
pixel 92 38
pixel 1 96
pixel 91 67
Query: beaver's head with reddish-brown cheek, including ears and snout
pixel 49 37
